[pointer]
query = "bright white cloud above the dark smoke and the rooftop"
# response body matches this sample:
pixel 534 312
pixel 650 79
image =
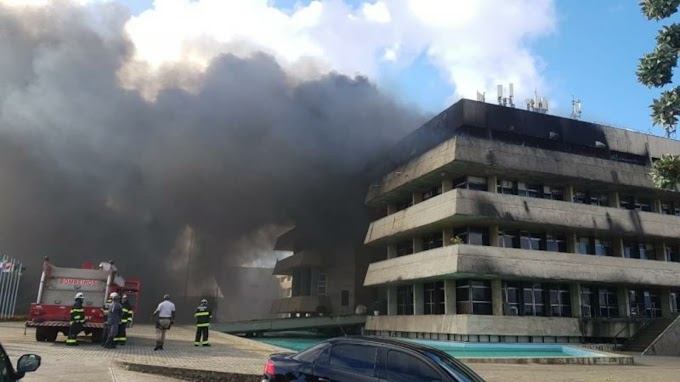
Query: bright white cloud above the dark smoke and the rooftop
pixel 475 44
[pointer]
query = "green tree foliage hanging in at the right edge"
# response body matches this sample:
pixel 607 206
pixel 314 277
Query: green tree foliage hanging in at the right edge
pixel 655 71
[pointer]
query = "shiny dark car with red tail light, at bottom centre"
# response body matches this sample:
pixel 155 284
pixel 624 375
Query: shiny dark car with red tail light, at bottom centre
pixel 363 359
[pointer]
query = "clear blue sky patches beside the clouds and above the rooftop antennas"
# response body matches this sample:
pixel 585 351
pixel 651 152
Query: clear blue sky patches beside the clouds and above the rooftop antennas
pixel 593 54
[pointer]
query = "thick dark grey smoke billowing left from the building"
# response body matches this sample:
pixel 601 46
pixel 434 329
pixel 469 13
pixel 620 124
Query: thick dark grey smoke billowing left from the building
pixel 90 171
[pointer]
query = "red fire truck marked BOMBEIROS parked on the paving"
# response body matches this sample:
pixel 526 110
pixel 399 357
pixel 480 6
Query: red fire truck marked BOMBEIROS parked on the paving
pixel 50 314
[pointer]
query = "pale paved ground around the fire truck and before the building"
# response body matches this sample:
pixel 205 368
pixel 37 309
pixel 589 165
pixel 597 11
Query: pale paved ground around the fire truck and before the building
pixel 238 355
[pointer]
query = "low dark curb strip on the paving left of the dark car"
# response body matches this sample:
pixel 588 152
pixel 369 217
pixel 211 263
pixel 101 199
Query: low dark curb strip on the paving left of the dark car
pixel 188 374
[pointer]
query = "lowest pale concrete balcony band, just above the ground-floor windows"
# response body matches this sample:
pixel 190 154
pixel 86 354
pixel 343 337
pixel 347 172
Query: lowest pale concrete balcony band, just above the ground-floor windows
pixel 468 261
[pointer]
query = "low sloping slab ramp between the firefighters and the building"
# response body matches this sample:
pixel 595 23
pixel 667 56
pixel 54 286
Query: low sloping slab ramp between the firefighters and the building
pixel 287 324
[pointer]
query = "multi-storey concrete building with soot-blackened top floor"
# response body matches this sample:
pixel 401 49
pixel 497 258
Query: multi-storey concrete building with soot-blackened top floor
pixel 504 225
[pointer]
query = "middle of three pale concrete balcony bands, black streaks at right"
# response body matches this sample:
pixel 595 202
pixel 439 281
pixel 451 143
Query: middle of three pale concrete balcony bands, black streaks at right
pixel 486 207
